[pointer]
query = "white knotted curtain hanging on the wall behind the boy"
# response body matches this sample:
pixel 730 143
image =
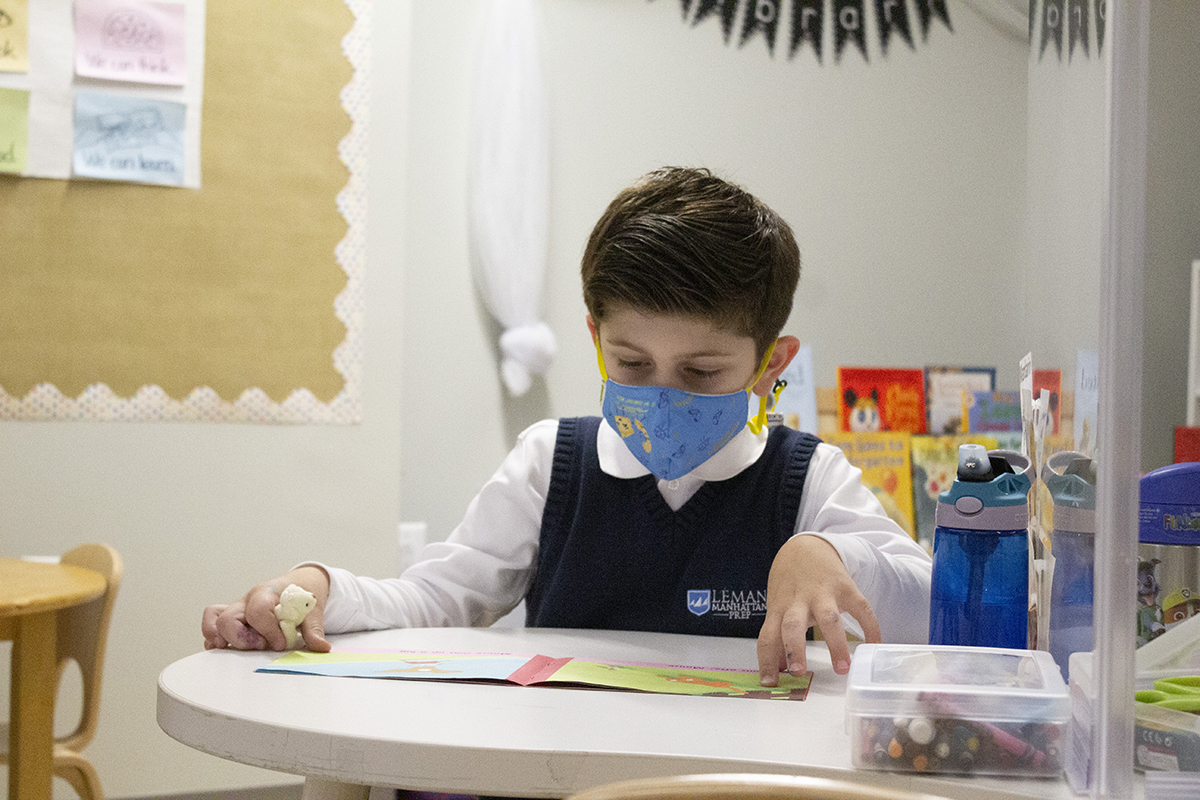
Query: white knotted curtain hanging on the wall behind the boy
pixel 509 191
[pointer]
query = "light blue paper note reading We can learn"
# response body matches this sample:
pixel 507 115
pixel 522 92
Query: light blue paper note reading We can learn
pixel 128 139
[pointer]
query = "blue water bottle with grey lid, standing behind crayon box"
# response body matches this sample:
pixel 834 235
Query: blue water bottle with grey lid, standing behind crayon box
pixel 981 590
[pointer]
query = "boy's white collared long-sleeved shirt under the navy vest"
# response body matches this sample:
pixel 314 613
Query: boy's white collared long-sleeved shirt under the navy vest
pixel 487 566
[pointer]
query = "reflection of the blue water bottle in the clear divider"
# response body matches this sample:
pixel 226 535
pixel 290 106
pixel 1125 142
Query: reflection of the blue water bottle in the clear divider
pixel 1071 479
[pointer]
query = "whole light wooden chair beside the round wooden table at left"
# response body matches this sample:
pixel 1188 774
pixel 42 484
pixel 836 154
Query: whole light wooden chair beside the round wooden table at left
pixel 82 637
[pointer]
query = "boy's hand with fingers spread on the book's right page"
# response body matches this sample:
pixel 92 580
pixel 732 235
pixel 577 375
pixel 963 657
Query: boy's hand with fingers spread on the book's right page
pixel 809 586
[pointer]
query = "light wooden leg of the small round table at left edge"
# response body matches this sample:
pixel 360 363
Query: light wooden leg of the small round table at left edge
pixel 32 732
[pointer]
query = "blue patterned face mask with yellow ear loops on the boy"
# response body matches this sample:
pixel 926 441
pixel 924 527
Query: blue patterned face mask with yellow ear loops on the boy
pixel 673 432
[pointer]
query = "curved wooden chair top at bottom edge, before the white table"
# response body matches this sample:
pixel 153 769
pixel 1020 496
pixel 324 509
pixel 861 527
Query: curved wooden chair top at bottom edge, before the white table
pixel 745 787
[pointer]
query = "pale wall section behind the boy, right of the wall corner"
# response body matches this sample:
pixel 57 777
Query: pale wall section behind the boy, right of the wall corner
pixel 904 179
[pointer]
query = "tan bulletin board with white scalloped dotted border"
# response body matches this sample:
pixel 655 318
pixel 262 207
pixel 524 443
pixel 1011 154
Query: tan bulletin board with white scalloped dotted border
pixel 237 302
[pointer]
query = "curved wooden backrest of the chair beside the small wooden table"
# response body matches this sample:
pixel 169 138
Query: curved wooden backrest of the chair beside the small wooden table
pixel 83 636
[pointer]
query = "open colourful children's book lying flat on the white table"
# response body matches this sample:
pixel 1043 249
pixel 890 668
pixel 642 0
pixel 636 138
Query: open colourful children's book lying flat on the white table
pixel 542 671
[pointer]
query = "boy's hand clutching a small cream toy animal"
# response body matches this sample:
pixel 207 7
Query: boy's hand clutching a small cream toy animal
pixel 250 624
